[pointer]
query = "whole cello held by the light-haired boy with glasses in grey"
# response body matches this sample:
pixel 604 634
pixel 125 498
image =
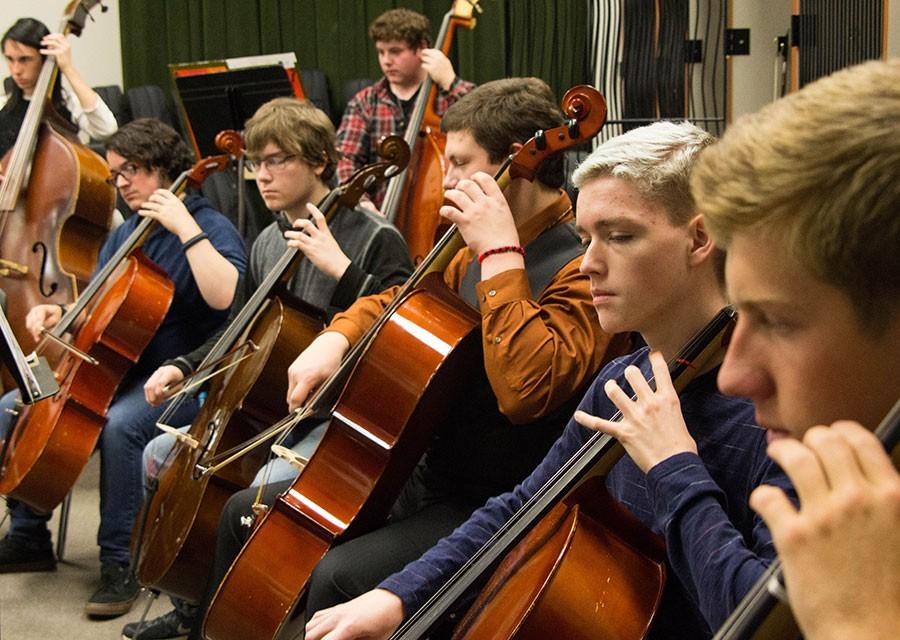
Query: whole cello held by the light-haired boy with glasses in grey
pixel 178 525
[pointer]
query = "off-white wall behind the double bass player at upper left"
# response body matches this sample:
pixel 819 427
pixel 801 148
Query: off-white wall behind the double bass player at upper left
pixel 97 53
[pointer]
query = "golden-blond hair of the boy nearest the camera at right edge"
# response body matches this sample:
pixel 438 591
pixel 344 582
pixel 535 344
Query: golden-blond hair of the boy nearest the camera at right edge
pixel 818 174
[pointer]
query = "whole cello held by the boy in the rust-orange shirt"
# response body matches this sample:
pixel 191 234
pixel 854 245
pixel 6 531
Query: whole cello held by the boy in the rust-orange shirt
pixel 369 449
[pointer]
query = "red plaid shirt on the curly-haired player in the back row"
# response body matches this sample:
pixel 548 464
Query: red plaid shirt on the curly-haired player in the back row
pixel 373 113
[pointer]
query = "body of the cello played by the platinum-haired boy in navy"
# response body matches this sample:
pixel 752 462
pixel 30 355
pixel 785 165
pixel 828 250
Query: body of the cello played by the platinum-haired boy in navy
pixel 589 569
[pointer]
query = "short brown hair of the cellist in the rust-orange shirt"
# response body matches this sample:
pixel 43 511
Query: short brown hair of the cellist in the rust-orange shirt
pixel 502 112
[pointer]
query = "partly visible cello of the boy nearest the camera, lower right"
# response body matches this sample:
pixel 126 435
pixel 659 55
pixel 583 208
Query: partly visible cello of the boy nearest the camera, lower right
pixel 765 611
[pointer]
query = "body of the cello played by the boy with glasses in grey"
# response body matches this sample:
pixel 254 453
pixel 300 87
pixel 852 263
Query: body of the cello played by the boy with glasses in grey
pixel 183 513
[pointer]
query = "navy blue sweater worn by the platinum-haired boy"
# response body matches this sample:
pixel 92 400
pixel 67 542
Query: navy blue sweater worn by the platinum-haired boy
pixel 716 545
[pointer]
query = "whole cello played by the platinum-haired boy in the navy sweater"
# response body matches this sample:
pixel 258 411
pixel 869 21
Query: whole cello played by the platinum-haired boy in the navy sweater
pixel 573 535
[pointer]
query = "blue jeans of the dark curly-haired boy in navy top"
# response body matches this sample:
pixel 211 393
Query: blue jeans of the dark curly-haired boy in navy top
pixel 130 424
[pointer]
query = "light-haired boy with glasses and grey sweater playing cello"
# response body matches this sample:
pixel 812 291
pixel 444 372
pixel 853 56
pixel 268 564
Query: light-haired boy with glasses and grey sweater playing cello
pixel 290 145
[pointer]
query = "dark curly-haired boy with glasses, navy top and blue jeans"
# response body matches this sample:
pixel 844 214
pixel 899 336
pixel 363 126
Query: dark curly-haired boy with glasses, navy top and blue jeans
pixel 203 255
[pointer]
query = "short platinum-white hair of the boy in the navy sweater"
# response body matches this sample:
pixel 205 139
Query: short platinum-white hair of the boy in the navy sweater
pixel 656 160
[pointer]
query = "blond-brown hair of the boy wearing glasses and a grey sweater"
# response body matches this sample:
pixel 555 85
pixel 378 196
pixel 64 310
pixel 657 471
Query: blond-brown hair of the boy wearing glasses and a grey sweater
pixel 298 127
